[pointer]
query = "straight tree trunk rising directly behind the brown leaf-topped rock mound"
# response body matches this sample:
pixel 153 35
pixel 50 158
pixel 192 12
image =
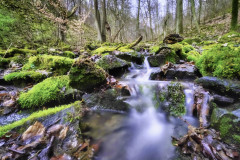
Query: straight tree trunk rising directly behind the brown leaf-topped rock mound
pixel 179 25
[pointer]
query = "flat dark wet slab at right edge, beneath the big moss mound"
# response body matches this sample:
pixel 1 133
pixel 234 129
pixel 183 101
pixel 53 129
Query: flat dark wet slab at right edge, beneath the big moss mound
pixel 221 86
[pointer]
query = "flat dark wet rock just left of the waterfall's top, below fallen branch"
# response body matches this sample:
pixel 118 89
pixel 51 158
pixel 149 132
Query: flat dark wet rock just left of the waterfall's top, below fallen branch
pixel 130 56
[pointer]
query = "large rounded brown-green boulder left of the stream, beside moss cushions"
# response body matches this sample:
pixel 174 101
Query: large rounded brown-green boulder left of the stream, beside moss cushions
pixel 85 75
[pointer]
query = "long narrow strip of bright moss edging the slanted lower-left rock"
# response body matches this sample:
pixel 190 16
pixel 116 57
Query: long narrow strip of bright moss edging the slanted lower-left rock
pixel 34 116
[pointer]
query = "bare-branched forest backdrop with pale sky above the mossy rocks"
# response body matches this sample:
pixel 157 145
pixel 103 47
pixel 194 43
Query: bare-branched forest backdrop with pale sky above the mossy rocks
pixel 36 23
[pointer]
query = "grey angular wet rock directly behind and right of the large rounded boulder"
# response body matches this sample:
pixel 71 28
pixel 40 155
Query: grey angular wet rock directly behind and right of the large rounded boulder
pixel 113 65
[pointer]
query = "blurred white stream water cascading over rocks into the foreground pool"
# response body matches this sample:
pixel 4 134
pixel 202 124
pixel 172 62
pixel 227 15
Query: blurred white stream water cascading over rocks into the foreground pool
pixel 145 133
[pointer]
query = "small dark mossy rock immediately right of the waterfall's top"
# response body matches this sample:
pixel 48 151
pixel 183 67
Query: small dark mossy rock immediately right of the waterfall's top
pixel 157 60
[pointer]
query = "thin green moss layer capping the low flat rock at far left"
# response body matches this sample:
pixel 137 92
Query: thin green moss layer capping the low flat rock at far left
pixel 24 75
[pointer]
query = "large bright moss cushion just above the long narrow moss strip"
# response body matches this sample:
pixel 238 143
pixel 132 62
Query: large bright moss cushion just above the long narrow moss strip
pixel 44 92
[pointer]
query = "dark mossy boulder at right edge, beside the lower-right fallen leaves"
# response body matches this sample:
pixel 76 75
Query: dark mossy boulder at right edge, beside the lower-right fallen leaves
pixel 228 124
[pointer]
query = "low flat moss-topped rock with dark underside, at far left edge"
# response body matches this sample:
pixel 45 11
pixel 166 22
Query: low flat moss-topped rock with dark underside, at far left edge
pixel 24 77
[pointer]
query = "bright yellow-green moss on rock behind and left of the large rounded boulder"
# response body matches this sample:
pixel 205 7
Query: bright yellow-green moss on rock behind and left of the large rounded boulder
pixel 59 65
